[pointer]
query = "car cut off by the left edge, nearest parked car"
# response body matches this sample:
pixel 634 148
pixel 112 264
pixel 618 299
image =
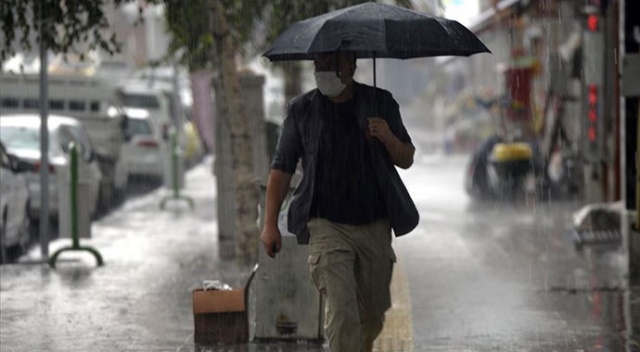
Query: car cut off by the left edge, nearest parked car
pixel 15 223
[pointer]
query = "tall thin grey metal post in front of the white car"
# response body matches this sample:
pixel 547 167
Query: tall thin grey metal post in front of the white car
pixel 44 145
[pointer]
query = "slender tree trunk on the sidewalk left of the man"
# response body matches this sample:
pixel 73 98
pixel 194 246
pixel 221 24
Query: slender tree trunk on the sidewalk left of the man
pixel 246 191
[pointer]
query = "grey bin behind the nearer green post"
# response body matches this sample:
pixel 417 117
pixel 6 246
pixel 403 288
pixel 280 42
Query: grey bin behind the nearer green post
pixel 83 210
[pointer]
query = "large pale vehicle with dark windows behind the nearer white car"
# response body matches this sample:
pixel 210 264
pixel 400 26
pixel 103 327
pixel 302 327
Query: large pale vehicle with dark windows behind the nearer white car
pixel 92 100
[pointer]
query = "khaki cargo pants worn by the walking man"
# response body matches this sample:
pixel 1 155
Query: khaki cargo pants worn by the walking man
pixel 351 267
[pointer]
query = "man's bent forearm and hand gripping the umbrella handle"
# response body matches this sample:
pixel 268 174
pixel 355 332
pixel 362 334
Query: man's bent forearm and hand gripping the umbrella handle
pixel 401 153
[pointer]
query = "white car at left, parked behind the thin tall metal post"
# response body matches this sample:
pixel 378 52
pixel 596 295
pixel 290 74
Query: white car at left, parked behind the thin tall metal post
pixel 21 136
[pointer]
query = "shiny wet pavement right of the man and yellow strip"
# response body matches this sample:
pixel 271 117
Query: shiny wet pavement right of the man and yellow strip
pixel 492 277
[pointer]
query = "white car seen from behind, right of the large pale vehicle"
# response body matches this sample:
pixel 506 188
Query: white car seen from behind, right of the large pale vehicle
pixel 144 152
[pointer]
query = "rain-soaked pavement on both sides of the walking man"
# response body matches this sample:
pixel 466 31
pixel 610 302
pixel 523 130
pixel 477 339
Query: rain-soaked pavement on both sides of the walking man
pixel 497 277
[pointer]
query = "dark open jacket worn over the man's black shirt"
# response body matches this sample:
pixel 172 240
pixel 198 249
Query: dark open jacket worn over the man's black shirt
pixel 300 140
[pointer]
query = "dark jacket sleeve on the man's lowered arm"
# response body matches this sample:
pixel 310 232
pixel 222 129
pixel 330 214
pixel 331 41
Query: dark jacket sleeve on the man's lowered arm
pixel 289 148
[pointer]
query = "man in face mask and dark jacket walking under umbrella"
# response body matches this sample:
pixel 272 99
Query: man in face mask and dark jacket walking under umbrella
pixel 350 137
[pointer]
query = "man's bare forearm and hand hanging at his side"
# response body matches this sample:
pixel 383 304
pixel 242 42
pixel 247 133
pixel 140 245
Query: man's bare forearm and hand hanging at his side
pixel 277 189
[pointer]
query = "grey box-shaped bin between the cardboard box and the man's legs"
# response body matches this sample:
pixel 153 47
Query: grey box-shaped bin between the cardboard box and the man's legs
pixel 289 305
